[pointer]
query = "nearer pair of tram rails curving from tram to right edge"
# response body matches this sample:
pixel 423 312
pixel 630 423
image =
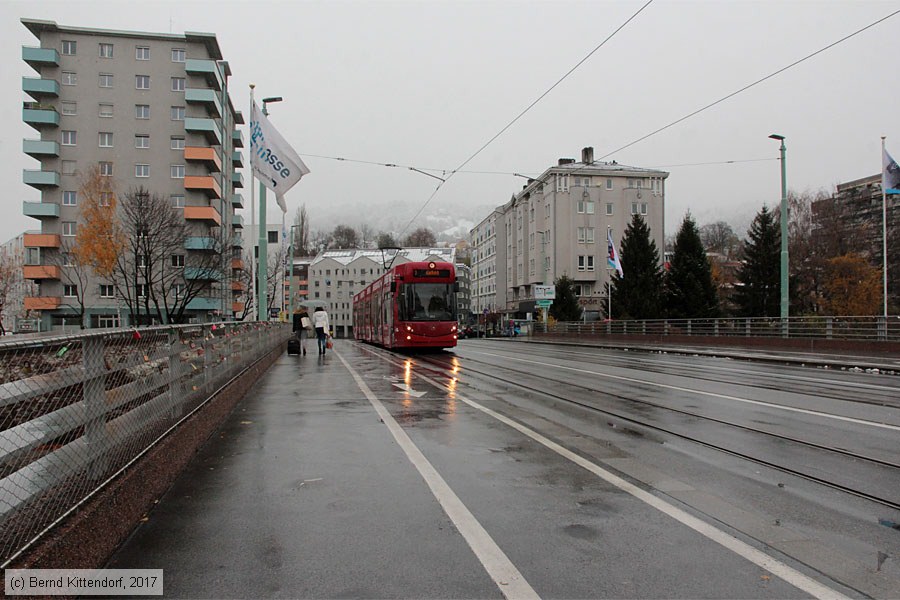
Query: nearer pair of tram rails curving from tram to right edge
pixel 540 387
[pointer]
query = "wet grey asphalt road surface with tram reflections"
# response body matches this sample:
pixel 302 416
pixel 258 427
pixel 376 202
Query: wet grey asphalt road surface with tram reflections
pixel 306 493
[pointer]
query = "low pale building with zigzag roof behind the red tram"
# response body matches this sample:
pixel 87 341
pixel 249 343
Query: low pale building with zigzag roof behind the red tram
pixel 336 275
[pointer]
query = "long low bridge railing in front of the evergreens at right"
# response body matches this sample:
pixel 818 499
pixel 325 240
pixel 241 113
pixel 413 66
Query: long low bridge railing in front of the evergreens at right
pixel 825 327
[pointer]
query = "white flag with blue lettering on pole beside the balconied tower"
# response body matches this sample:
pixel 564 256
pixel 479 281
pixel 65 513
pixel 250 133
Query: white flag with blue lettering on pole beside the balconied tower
pixel 272 159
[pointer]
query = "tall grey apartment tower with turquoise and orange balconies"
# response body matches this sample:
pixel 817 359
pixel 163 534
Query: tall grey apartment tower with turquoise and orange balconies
pixel 151 111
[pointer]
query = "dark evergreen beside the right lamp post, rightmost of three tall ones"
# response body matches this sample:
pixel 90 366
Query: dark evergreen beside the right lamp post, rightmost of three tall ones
pixel 759 294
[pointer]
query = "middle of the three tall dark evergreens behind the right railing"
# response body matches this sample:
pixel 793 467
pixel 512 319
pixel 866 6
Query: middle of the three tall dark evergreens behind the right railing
pixel 690 293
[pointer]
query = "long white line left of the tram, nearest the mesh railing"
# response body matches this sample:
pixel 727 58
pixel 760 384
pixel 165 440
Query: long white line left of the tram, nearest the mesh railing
pixel 498 566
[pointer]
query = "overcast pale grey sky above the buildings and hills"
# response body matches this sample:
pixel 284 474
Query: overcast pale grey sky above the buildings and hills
pixel 426 84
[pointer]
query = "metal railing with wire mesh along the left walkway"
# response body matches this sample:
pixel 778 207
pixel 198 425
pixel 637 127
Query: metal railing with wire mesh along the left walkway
pixel 76 409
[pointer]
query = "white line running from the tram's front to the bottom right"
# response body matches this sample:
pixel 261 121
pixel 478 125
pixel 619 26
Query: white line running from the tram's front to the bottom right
pixel 757 557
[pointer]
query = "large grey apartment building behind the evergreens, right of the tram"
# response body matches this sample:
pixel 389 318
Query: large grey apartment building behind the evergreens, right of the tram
pixel 557 225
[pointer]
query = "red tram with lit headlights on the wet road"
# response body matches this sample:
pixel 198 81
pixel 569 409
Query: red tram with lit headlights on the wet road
pixel 413 305
